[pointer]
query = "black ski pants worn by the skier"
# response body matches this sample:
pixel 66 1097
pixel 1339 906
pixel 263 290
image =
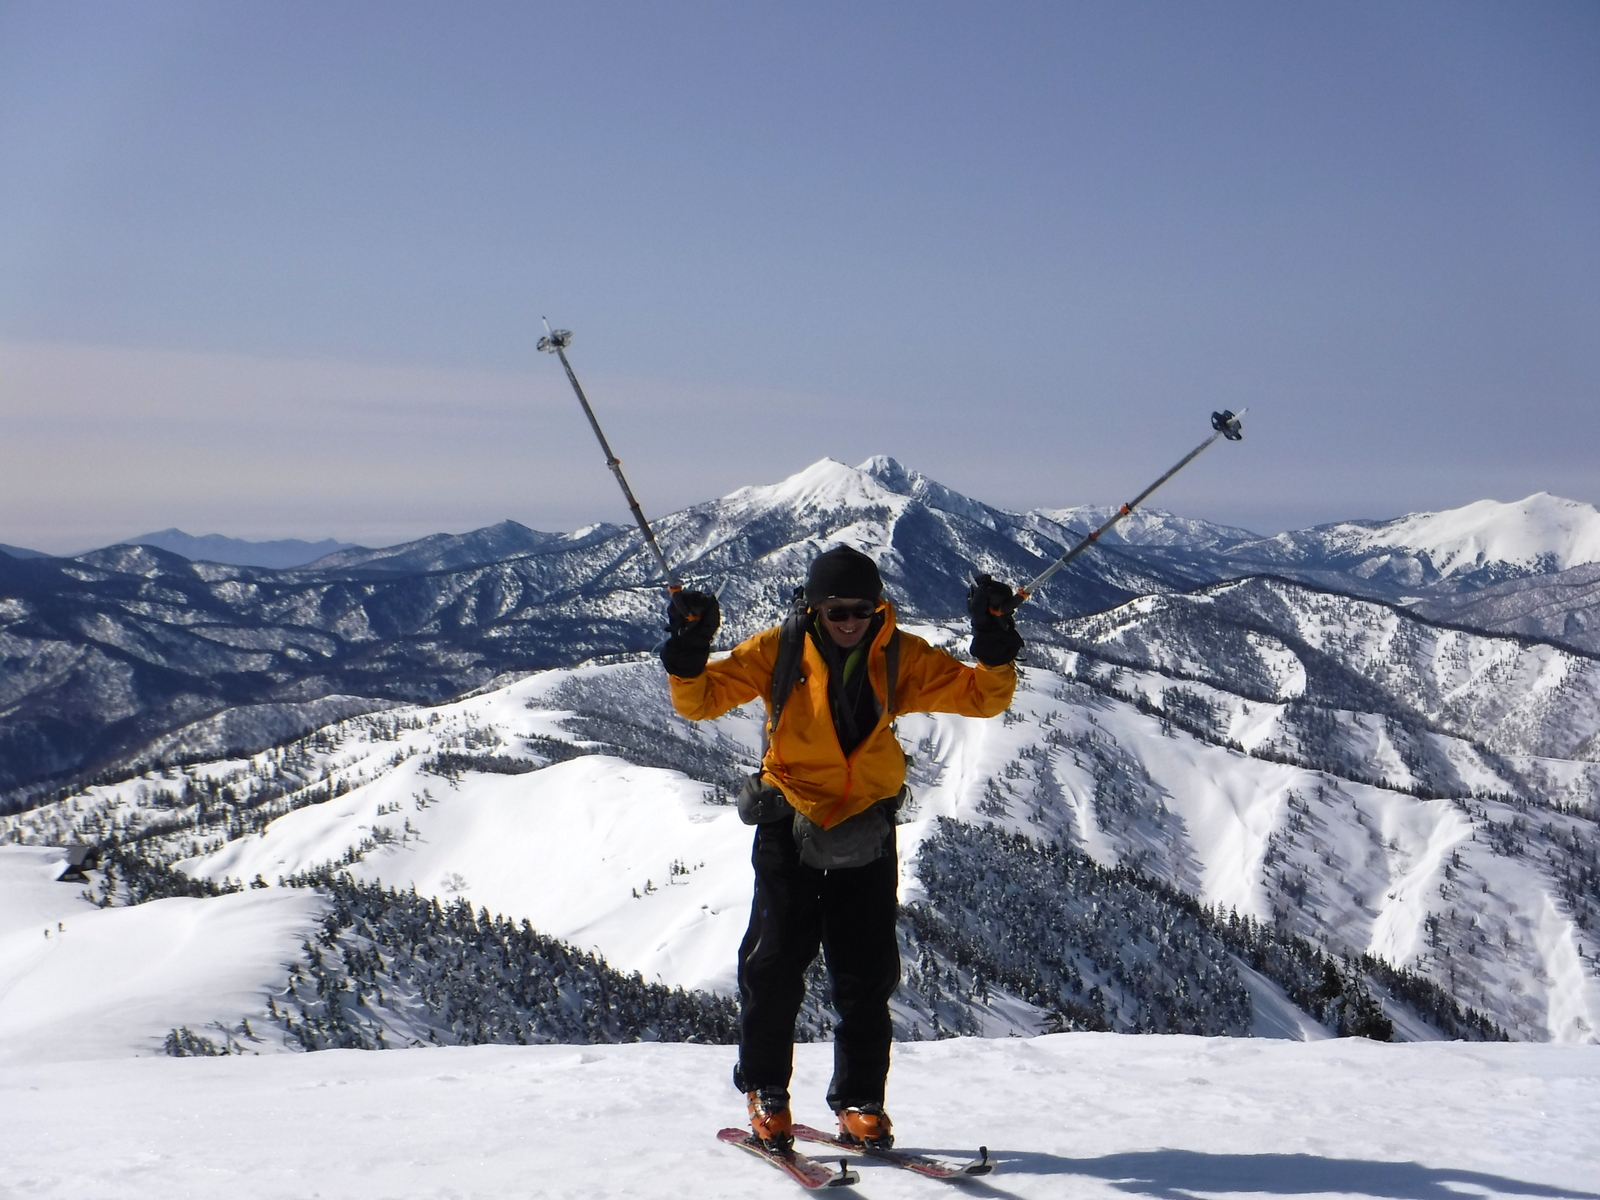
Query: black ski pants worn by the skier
pixel 850 914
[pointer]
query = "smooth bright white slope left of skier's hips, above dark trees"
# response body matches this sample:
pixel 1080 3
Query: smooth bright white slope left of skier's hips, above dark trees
pixel 626 860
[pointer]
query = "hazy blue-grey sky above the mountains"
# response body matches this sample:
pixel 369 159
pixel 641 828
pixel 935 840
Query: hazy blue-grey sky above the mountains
pixel 278 270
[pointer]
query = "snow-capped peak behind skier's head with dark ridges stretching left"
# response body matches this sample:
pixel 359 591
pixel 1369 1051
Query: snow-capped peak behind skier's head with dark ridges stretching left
pixel 130 655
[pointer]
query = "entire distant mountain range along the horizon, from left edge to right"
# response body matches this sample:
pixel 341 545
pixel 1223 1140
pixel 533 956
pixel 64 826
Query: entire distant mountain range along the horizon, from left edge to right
pixel 135 654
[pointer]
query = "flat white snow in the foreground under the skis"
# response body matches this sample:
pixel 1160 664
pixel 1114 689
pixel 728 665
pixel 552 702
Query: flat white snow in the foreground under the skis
pixel 1074 1114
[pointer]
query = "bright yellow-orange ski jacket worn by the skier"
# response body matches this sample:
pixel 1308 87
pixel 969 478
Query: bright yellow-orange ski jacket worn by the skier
pixel 804 758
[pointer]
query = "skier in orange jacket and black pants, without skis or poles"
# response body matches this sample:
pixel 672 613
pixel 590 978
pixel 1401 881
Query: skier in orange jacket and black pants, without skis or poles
pixel 823 806
